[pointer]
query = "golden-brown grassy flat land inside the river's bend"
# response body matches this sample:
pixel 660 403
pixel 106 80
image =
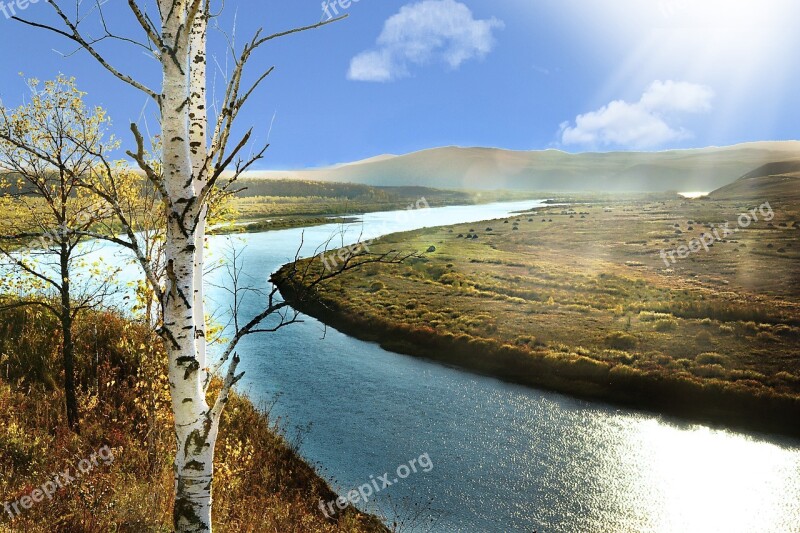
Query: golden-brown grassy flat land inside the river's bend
pixel 577 299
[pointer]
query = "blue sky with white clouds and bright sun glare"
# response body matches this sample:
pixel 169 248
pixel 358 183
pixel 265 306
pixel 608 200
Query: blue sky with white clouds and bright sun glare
pixel 400 76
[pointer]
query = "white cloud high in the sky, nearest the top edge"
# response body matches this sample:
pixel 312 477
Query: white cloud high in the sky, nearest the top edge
pixel 425 32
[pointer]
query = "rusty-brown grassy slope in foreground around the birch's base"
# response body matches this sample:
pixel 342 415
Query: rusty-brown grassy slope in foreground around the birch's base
pixel 261 483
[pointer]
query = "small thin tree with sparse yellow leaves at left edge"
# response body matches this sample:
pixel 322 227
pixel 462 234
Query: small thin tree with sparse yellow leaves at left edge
pixel 46 149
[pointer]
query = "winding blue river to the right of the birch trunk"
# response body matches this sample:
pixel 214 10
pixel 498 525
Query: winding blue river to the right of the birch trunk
pixel 505 458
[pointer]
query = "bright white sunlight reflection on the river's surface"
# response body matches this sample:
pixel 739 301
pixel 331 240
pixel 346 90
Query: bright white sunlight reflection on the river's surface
pixel 696 479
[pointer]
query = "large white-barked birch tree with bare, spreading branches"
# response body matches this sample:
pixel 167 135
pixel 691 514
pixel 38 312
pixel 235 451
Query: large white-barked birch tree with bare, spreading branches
pixel 200 159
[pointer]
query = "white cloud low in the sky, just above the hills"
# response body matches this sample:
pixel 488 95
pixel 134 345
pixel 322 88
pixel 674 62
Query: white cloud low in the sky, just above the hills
pixel 643 124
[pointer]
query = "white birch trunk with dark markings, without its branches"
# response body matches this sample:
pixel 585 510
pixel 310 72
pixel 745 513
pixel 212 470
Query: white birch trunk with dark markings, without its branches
pixel 182 303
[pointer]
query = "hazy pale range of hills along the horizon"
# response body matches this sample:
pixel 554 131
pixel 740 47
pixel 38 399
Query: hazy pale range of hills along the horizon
pixel 705 169
